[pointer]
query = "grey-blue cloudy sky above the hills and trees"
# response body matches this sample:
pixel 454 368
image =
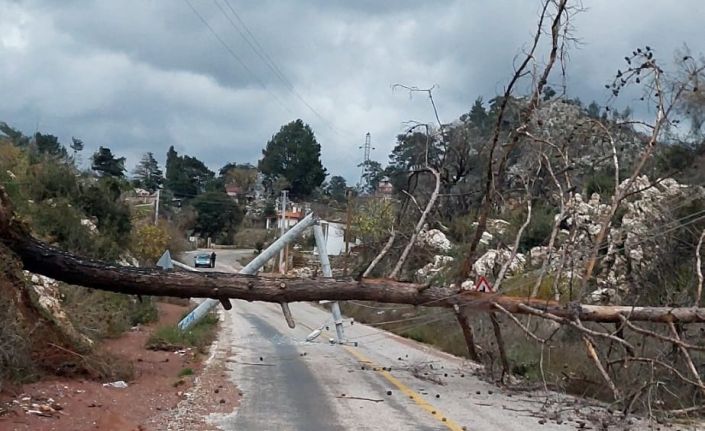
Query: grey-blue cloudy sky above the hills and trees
pixel 138 76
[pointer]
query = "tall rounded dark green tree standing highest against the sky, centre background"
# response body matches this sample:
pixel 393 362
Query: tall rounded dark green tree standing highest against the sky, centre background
pixel 294 155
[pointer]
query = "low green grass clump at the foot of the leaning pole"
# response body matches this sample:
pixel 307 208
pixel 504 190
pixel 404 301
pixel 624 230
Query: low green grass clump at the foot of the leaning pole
pixel 171 338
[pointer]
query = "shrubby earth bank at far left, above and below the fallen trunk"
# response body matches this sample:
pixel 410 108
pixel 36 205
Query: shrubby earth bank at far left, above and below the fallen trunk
pixel 43 322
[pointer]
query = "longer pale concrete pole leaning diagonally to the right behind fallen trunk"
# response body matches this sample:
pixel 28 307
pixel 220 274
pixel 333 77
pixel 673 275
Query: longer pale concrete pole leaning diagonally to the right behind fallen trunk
pixel 251 269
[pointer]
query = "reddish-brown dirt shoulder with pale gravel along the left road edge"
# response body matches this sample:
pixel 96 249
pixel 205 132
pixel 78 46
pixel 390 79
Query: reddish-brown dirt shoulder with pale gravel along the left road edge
pixel 152 400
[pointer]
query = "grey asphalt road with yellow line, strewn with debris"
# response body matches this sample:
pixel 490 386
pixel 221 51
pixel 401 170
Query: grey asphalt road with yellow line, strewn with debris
pixel 385 383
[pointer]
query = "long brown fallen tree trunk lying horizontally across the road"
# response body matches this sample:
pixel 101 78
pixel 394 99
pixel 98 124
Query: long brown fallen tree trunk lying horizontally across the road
pixel 41 258
